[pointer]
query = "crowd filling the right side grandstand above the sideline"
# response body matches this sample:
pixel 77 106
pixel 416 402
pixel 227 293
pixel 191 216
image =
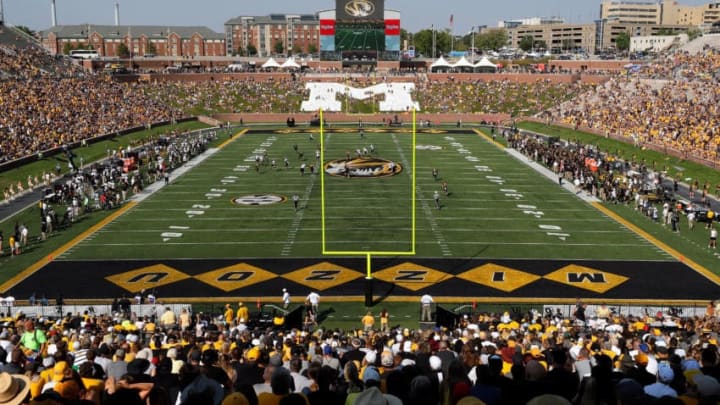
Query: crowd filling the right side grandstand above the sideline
pixel 671 103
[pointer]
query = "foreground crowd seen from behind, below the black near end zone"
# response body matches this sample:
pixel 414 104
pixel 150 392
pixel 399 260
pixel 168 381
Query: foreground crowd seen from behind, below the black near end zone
pixel 593 356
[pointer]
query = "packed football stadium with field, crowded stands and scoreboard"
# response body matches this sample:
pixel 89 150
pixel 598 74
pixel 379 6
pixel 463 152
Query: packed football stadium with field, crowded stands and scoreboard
pixel 195 234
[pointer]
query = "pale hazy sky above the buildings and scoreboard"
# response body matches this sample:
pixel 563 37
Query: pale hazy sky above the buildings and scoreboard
pixel 415 14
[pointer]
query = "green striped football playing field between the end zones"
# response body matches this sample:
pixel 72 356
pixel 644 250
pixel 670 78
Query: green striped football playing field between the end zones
pixel 497 207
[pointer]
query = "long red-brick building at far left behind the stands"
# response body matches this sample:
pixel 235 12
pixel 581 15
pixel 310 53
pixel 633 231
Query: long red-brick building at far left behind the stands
pixel 141 40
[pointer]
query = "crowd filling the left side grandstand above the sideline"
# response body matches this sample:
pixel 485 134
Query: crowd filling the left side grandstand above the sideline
pixel 46 103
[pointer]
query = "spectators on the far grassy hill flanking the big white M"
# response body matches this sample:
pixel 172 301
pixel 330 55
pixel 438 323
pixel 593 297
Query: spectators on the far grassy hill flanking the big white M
pixel 285 96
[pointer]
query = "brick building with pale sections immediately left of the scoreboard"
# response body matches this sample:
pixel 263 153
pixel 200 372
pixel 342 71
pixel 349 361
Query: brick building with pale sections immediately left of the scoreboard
pixel 288 33
